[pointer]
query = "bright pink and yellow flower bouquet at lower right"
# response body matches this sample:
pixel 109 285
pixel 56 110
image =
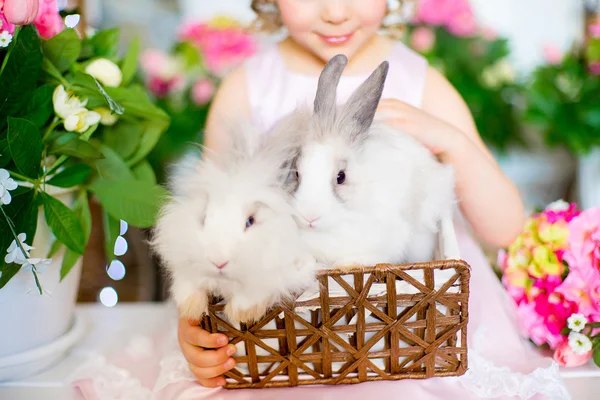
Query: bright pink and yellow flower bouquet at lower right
pixel 552 272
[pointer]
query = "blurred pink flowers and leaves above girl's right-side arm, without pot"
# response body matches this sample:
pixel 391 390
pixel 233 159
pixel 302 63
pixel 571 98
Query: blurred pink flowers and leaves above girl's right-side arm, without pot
pixel 475 60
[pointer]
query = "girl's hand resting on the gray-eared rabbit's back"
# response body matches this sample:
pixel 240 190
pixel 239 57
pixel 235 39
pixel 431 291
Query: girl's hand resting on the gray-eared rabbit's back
pixel 440 137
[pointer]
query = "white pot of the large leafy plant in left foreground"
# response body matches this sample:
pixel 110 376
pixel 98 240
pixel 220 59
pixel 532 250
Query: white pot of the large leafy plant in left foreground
pixel 31 321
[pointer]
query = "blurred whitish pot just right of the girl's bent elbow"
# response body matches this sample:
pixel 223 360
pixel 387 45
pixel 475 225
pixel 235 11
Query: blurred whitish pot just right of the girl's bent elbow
pixel 541 175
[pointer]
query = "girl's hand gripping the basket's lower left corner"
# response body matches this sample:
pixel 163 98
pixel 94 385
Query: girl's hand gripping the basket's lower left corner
pixel 207 365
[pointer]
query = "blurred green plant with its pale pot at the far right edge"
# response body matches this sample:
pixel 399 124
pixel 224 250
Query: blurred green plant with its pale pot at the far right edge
pixel 563 101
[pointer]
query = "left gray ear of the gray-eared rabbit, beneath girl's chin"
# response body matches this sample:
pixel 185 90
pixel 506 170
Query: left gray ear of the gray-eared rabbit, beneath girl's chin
pixel 325 103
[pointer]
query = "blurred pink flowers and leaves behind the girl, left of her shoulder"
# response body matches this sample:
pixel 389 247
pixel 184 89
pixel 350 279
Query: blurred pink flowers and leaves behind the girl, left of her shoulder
pixel 183 81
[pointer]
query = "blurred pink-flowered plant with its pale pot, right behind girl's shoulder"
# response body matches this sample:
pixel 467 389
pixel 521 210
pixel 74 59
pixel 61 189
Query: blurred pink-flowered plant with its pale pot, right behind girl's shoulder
pixel 477 62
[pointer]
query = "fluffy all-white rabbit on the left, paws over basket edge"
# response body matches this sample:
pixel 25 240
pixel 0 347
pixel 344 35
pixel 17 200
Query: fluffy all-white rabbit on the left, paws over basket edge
pixel 228 230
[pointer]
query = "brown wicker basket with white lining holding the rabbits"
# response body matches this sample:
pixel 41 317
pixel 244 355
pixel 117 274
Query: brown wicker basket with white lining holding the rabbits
pixel 361 338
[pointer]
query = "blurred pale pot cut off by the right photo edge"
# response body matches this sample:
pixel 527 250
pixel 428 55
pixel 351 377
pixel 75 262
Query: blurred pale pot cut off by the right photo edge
pixel 588 180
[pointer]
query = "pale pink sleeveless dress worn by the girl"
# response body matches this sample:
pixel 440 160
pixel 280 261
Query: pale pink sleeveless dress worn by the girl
pixel 502 365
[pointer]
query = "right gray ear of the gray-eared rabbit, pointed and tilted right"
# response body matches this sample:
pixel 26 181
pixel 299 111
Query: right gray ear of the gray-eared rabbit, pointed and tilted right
pixel 358 113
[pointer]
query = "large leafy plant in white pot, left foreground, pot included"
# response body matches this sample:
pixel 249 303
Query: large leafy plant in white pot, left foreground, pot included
pixel 74 125
